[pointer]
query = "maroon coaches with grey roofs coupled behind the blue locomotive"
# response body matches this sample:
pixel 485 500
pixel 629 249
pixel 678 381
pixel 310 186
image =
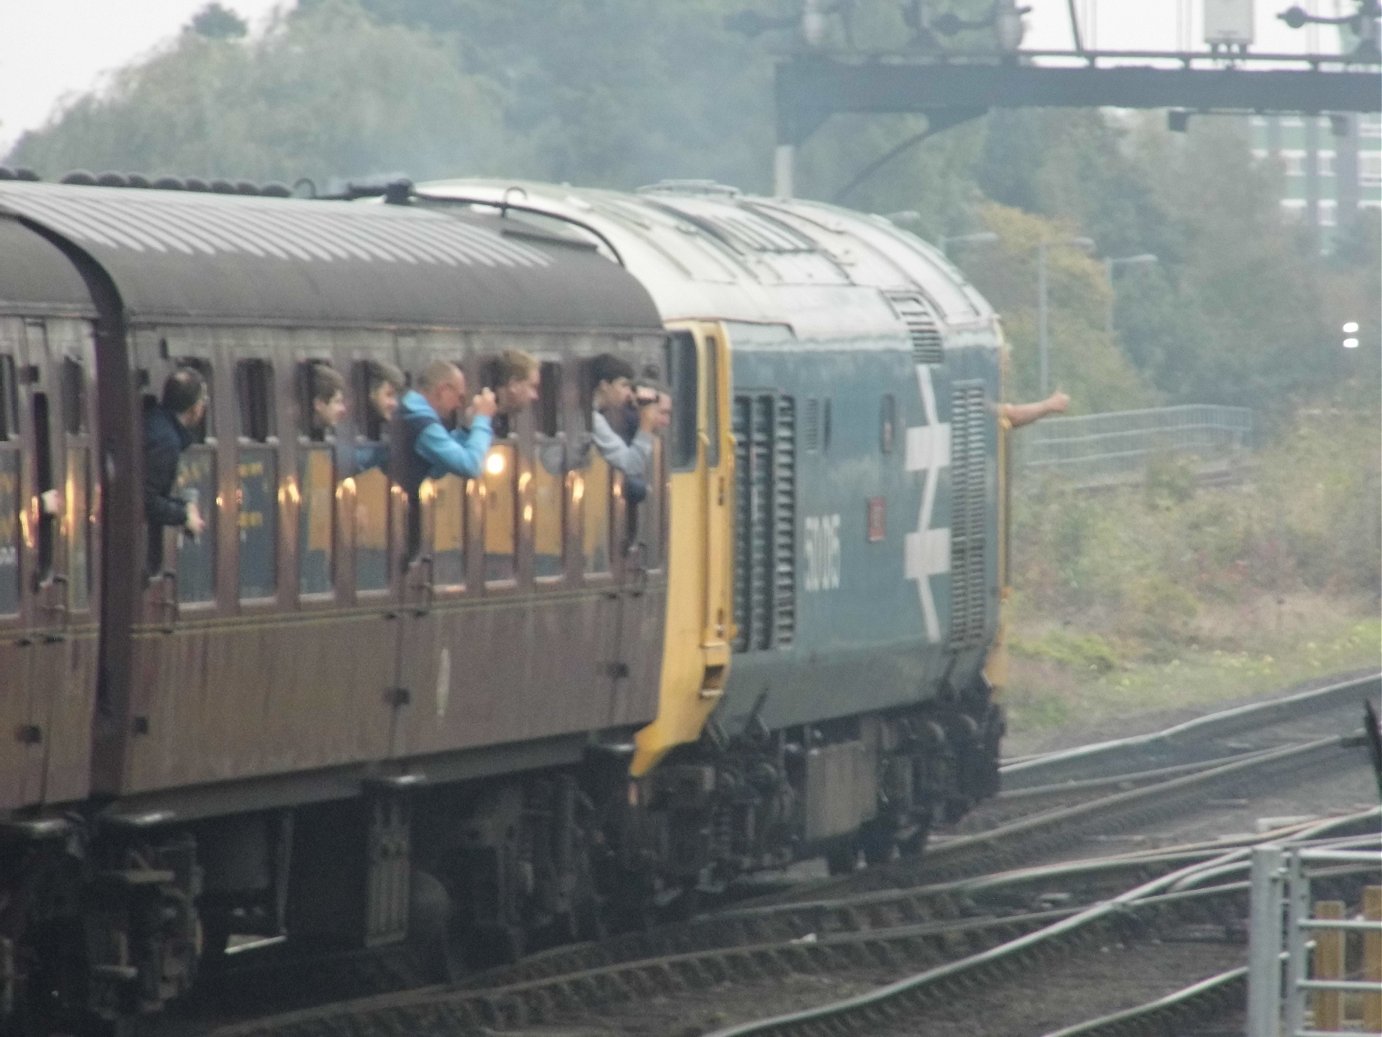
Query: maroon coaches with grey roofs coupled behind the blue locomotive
pixel 252 735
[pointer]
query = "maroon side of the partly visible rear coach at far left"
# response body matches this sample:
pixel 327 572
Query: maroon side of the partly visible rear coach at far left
pixel 48 516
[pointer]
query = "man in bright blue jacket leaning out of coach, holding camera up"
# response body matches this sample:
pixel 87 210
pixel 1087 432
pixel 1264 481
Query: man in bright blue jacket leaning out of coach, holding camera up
pixel 433 446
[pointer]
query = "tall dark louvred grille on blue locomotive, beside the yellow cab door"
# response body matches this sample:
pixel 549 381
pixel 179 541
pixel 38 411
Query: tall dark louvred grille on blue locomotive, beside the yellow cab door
pixel 765 522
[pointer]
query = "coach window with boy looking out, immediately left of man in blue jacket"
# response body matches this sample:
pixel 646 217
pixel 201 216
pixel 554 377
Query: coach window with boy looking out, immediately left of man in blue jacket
pixel 372 382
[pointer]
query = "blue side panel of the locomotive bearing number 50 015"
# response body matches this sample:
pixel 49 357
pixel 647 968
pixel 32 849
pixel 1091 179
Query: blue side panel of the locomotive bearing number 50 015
pixel 862 639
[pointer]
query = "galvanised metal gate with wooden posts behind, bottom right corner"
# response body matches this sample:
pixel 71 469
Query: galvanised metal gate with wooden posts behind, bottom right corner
pixel 1282 924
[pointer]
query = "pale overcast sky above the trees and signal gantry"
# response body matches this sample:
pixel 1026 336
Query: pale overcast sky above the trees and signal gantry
pixel 57 49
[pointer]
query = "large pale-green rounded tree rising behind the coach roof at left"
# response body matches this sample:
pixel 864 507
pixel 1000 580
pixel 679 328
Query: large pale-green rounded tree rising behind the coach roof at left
pixel 325 92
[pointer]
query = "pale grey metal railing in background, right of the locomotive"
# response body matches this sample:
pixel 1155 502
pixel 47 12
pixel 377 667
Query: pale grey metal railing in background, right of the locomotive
pixel 1119 446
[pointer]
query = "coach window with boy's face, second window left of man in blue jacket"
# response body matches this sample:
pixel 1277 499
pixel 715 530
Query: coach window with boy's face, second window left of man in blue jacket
pixel 321 395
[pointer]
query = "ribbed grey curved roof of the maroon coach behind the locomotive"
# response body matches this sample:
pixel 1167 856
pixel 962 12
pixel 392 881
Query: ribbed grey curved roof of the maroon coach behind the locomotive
pixel 183 256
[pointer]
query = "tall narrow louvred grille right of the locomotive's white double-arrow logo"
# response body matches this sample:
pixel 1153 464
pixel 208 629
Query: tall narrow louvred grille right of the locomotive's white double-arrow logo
pixel 968 501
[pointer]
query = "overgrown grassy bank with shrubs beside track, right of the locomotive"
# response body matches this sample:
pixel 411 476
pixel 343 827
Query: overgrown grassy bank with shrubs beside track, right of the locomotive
pixel 1141 608
